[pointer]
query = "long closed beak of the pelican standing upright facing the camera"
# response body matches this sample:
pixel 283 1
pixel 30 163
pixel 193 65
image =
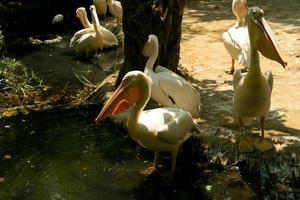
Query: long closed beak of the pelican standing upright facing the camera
pixel 267 44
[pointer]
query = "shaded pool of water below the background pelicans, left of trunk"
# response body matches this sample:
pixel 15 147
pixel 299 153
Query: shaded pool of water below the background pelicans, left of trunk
pixel 58 65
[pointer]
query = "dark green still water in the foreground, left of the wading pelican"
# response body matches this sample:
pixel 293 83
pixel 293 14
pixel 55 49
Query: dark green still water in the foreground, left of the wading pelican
pixel 63 154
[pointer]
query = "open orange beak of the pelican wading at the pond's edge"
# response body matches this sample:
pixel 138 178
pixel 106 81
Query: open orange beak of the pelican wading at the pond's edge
pixel 121 100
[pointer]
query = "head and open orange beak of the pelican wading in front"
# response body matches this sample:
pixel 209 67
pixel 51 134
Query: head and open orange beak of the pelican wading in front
pixel 134 89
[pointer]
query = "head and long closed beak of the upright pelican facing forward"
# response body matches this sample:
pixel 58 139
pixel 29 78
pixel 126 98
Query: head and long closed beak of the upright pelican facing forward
pixel 261 35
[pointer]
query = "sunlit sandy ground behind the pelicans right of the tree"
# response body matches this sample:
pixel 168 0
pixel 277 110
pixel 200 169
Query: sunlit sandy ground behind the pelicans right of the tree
pixel 205 59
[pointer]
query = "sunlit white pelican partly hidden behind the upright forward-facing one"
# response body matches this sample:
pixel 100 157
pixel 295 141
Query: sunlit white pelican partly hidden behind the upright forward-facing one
pixel 236 39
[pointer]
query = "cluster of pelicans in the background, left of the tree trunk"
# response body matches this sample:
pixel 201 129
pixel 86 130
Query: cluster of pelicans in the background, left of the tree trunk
pixel 93 36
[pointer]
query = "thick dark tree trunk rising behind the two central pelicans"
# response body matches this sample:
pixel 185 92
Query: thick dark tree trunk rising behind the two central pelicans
pixel 141 18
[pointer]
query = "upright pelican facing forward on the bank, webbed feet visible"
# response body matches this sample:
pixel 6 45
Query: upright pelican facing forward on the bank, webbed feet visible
pixel 252 90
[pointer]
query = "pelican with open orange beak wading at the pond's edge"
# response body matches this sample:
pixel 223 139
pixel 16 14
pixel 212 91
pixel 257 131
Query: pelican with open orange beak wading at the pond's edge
pixel 158 130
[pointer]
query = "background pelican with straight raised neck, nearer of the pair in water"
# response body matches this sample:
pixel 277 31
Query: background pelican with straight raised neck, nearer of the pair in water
pixel 90 39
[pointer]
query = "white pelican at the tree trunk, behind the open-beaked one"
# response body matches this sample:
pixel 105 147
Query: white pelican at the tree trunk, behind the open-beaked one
pixel 168 88
